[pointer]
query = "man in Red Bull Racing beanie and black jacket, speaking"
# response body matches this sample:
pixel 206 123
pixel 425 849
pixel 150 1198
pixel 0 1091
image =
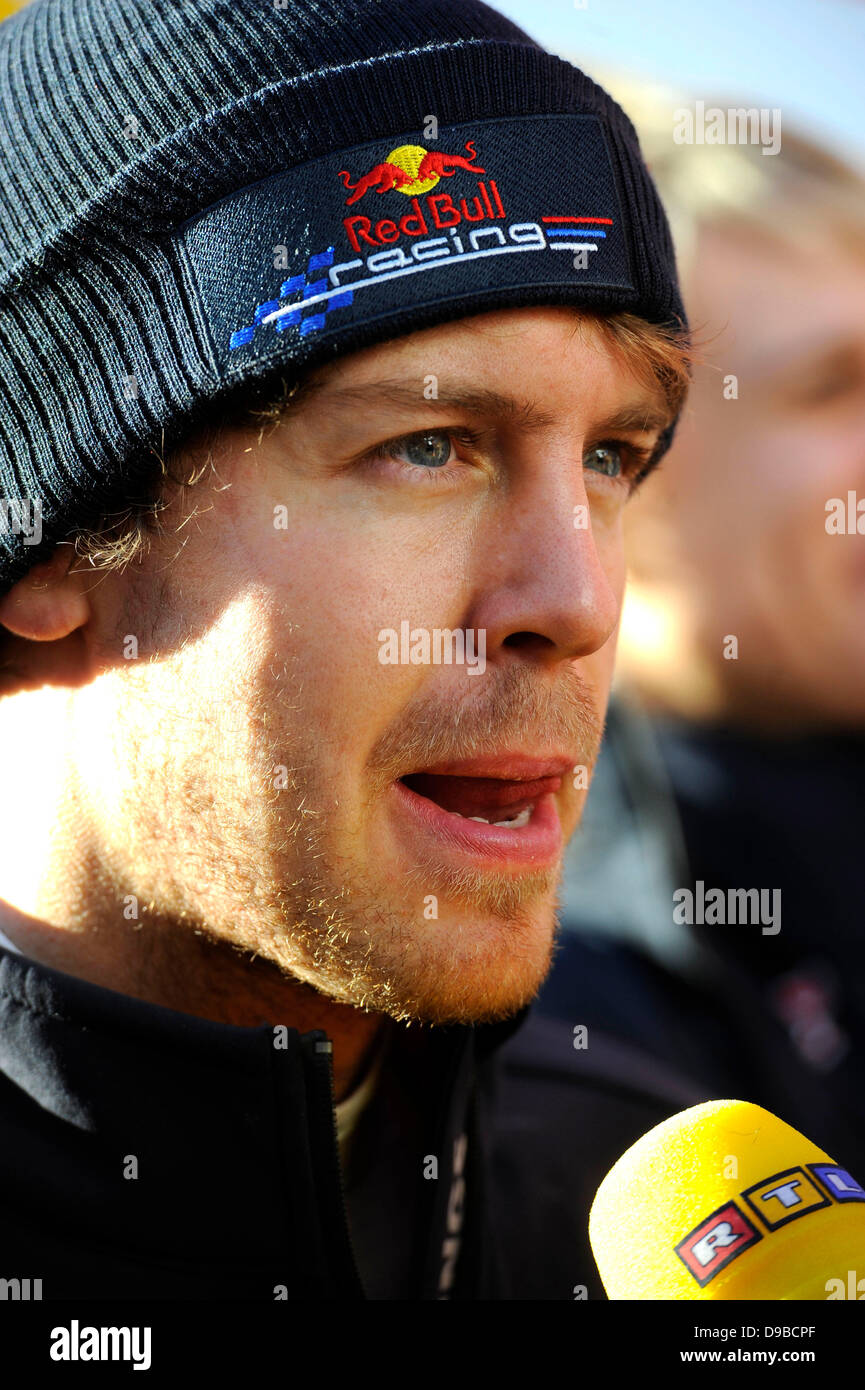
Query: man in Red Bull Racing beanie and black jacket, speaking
pixel 296 757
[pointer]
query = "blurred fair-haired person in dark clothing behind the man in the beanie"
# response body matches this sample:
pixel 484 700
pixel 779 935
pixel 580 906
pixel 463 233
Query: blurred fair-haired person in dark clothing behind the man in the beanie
pixel 735 753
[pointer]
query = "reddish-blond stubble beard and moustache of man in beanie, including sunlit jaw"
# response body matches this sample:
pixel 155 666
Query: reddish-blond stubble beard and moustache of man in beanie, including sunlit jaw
pixel 282 878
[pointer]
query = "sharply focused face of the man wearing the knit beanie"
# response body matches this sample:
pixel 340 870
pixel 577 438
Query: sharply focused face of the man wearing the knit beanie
pixel 259 769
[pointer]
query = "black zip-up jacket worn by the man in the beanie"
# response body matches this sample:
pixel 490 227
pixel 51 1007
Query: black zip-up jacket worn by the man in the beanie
pixel 151 1154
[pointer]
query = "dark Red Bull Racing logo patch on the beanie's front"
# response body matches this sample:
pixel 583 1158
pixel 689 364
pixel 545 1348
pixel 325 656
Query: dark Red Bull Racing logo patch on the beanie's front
pixel 389 223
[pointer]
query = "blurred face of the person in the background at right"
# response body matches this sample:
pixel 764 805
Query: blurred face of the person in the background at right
pixel 749 479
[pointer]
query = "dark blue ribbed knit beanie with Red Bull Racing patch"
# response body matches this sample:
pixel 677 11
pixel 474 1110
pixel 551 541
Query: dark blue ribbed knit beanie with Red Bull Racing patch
pixel 200 197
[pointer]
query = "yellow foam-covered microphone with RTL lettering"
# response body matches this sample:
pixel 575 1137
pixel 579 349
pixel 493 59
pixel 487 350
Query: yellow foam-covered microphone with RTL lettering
pixel 727 1202
